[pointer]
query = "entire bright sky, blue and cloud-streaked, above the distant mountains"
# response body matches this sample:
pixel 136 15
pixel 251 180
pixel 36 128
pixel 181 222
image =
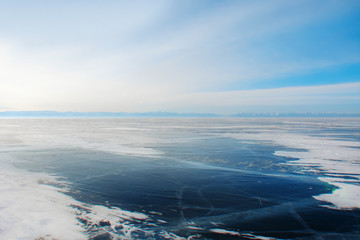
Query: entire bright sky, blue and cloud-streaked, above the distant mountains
pixel 180 56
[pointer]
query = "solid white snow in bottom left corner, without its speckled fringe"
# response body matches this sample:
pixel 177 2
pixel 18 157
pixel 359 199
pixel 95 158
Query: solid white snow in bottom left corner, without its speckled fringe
pixel 29 210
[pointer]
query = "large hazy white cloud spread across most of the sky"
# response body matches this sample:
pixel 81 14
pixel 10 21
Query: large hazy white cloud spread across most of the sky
pixel 128 59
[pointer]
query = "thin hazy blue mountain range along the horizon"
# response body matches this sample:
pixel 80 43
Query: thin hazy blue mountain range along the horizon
pixel 54 114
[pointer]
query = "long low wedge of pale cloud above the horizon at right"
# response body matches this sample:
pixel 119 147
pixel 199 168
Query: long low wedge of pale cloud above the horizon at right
pixel 295 99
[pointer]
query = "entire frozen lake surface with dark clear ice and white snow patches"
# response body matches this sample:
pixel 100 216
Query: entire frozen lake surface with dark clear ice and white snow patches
pixel 179 178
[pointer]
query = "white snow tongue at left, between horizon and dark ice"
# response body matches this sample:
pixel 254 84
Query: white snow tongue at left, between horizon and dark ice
pixel 67 133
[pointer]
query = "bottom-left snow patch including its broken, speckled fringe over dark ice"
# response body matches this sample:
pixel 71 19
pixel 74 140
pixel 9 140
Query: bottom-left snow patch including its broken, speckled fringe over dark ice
pixel 31 209
